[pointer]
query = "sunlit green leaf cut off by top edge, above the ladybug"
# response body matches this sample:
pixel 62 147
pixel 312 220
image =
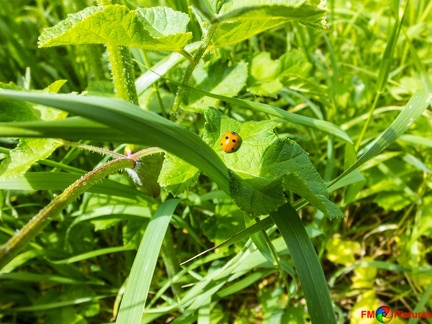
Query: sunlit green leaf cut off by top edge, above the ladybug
pixel 239 20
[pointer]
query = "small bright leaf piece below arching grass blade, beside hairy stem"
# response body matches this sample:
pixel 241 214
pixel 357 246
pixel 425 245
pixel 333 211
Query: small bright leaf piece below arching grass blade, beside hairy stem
pixel 177 175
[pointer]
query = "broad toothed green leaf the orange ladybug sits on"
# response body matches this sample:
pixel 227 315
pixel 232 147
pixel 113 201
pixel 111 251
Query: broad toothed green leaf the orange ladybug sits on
pixel 265 165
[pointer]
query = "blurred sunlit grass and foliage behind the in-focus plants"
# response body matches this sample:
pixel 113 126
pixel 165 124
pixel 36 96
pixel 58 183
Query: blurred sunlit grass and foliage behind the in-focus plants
pixel 379 254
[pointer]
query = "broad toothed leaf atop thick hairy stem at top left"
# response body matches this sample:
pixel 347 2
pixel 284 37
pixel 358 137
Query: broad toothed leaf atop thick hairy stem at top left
pixel 157 28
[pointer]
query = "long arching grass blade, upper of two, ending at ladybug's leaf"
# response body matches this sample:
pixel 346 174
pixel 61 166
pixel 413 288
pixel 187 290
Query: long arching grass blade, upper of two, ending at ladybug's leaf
pixel 142 127
